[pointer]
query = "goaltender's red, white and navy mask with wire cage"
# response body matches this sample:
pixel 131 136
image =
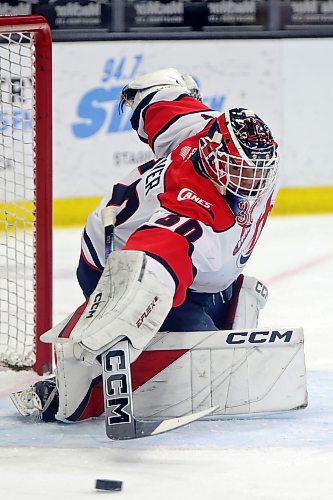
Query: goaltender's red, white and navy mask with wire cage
pixel 241 156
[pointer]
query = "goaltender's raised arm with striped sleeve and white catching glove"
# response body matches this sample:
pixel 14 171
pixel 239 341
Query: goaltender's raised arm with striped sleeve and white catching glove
pixel 167 109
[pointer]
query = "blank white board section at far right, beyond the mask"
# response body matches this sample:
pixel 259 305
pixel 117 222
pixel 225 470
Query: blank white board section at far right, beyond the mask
pixel 307 111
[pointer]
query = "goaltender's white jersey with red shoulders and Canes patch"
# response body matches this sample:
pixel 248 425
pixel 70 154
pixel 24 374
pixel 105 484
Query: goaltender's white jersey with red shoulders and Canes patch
pixel 168 209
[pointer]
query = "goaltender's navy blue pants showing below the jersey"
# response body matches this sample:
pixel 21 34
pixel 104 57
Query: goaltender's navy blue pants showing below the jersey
pixel 199 311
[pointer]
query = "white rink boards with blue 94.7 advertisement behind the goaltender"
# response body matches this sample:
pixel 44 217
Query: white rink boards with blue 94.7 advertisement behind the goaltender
pixel 287 82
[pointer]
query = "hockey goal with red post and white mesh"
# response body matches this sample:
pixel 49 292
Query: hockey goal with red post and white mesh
pixel 25 192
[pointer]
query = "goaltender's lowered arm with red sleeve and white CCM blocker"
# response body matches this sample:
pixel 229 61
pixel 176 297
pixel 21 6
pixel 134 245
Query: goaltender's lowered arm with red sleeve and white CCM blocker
pixel 136 290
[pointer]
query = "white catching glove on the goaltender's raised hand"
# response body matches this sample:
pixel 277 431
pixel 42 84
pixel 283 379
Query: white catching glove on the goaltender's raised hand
pixel 133 93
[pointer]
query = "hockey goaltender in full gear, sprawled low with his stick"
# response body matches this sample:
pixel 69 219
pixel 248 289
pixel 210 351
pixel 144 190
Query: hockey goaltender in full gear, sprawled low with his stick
pixel 168 332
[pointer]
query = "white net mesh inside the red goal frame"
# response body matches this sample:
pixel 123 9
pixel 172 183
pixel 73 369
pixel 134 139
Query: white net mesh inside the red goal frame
pixel 17 195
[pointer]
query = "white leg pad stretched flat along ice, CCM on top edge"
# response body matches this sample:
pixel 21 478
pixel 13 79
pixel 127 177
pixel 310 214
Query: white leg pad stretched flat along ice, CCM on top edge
pixel 244 372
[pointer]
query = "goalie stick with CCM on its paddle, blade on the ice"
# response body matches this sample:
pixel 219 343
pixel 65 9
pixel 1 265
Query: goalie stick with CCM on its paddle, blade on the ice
pixel 120 422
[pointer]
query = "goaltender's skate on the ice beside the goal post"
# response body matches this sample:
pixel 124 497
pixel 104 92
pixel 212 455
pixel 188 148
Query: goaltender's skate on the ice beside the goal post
pixel 41 400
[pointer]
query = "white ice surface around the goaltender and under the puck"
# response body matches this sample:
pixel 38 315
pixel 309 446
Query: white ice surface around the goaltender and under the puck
pixel 288 456
